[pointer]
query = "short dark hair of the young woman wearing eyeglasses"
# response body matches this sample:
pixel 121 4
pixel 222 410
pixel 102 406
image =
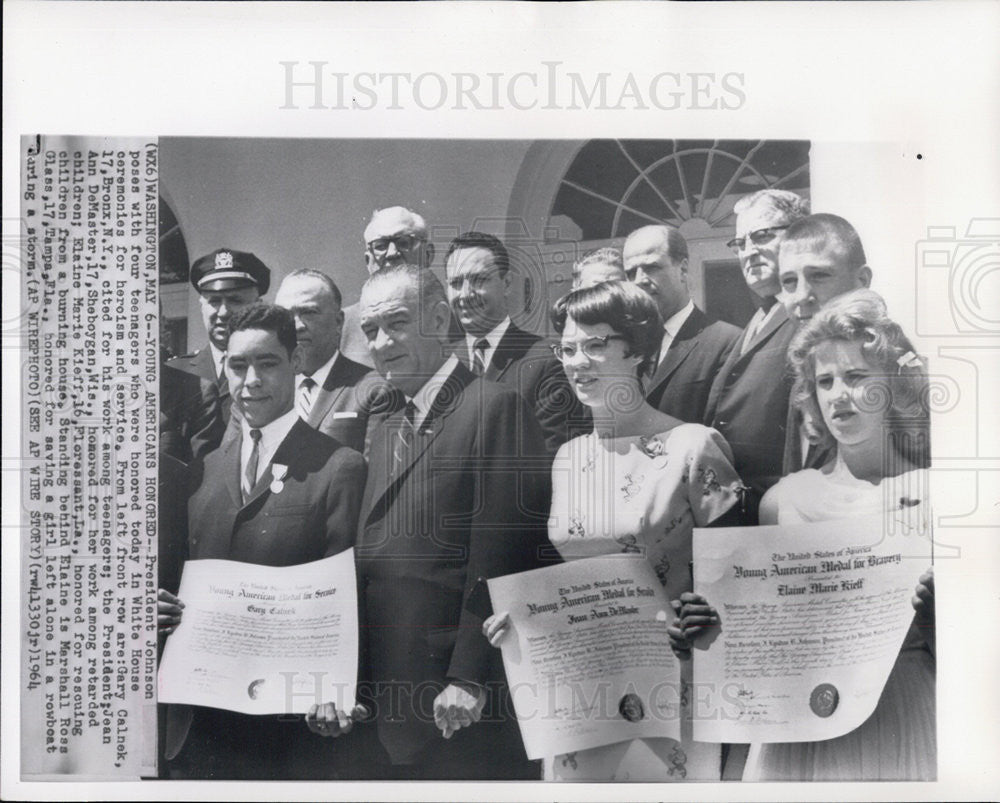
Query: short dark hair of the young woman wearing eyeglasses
pixel 624 307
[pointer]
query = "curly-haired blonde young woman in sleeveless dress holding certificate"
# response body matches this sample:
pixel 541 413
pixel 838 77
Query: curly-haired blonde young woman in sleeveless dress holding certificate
pixel 860 384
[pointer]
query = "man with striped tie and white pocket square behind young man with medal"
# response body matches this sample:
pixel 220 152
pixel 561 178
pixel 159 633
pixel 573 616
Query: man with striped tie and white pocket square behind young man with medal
pixel 334 394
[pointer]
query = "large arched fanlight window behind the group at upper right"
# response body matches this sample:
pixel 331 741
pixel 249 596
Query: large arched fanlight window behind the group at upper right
pixel 584 195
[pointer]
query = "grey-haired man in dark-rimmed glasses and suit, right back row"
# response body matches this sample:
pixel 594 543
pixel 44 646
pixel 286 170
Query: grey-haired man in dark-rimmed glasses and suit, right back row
pixel 748 402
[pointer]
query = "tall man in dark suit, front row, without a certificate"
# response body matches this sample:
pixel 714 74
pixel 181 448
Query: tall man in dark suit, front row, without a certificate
pixel 455 493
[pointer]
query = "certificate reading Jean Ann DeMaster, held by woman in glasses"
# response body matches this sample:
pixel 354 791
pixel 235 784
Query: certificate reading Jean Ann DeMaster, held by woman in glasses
pixel 588 659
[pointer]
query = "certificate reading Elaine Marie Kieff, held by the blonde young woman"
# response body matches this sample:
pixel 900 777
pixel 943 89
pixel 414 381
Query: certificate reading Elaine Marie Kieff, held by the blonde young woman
pixel 812 619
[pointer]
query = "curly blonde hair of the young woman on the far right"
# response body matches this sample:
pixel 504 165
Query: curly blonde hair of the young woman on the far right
pixel 860 316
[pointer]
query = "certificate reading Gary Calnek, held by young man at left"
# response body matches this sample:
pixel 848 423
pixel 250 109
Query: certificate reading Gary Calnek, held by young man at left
pixel 264 640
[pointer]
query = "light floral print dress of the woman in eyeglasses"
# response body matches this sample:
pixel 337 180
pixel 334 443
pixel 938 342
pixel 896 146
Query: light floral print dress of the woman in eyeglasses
pixel 643 495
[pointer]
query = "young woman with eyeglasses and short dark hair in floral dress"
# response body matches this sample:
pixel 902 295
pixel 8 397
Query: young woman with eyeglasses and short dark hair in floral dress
pixel 638 483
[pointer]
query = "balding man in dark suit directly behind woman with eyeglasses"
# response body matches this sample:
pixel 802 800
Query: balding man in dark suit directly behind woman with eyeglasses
pixel 694 346
